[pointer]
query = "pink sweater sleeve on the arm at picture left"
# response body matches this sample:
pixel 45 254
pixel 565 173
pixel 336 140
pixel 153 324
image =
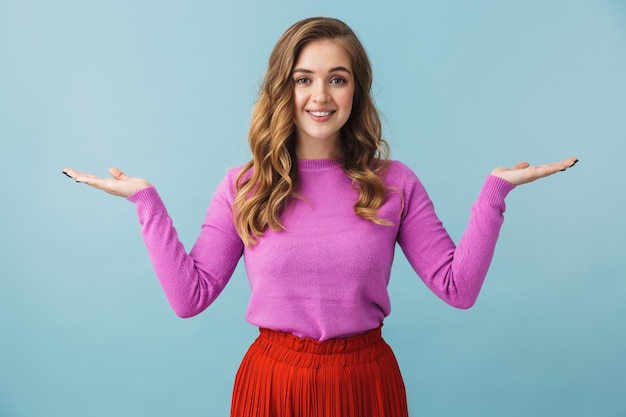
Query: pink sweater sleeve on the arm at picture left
pixel 191 281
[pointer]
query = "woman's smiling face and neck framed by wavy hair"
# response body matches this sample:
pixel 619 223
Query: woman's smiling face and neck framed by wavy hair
pixel 323 93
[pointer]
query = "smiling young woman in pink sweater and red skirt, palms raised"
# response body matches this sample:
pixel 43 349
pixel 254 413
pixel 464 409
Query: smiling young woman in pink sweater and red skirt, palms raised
pixel 316 214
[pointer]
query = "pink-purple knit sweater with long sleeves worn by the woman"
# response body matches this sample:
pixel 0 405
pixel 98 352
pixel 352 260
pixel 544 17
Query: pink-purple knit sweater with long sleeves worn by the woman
pixel 326 275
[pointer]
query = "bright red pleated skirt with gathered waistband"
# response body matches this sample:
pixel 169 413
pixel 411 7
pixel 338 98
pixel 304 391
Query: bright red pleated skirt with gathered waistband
pixel 282 375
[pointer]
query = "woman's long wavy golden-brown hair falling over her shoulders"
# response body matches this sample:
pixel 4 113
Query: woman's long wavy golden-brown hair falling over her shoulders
pixel 270 179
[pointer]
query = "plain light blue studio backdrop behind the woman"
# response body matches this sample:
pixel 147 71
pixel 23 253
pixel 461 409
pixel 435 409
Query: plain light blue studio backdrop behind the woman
pixel 164 90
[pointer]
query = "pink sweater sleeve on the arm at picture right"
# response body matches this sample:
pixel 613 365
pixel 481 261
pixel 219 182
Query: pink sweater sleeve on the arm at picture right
pixel 453 273
